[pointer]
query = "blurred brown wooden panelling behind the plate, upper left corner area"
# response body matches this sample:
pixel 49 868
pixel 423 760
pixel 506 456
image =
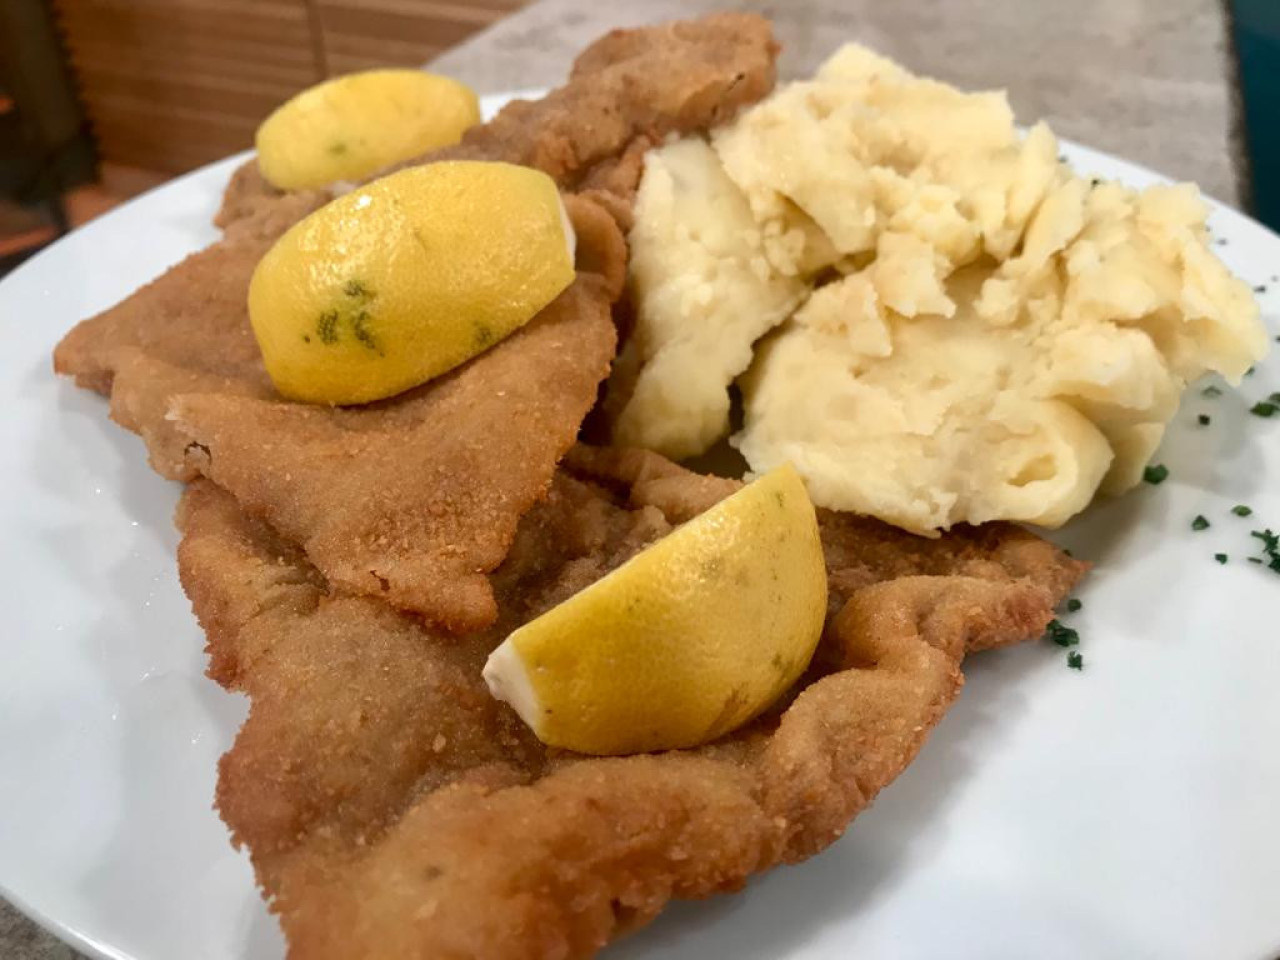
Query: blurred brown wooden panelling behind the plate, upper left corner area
pixel 170 85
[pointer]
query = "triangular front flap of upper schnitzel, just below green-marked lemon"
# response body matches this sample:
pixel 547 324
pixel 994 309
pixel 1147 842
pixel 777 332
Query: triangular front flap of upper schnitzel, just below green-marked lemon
pixel 417 500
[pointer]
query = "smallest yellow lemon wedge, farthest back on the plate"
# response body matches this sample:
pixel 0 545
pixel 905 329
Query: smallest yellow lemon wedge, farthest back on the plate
pixel 351 127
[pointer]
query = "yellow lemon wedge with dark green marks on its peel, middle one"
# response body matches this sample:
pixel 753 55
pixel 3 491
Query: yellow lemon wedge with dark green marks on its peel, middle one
pixel 409 277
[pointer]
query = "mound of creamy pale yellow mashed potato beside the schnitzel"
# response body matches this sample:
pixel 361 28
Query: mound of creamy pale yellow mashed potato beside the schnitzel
pixel 967 332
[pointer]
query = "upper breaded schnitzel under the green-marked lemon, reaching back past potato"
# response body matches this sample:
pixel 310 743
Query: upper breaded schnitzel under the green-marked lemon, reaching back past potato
pixel 415 500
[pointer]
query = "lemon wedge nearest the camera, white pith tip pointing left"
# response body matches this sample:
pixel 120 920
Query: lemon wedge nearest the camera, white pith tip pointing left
pixel 685 642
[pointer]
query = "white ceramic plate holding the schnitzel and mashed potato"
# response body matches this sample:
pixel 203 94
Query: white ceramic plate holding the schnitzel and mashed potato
pixel 1128 811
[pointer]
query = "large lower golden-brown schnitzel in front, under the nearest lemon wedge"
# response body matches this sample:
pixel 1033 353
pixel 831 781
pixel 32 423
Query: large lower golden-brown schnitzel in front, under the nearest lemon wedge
pixel 394 808
